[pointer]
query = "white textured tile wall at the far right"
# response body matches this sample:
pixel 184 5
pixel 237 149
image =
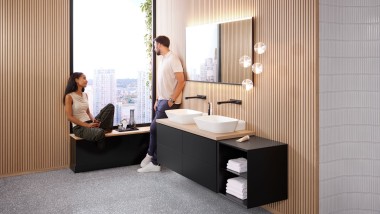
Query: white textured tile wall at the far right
pixel 349 106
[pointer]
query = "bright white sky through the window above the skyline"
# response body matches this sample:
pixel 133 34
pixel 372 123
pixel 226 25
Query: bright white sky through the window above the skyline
pixel 108 34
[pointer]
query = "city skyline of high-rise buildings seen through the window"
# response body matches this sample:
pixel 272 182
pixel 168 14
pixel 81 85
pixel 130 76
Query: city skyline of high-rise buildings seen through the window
pixel 125 94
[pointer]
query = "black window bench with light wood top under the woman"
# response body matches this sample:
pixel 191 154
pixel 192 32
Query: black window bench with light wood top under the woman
pixel 122 149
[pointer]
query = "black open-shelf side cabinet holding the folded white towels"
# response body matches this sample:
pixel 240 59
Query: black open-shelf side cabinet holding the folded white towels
pixel 267 170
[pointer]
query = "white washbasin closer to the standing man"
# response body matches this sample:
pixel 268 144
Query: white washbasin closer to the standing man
pixel 182 116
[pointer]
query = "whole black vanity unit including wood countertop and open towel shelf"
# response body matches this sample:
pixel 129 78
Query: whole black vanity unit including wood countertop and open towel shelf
pixel 204 161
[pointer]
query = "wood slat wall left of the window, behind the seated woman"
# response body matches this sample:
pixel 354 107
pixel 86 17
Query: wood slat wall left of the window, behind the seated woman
pixel 34 60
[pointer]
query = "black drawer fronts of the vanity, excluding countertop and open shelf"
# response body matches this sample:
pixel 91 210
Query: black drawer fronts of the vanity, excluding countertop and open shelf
pixel 188 154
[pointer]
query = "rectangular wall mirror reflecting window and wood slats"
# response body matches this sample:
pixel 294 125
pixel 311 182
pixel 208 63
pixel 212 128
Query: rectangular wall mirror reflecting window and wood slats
pixel 213 52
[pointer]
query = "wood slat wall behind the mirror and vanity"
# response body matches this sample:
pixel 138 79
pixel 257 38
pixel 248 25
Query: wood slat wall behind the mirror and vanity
pixel 283 104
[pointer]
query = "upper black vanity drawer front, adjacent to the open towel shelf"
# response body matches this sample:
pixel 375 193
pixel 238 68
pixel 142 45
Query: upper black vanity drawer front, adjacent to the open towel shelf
pixel 200 148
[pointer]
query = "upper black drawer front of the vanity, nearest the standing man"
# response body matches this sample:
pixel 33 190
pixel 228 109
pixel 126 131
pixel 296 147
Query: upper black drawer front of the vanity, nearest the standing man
pixel 170 137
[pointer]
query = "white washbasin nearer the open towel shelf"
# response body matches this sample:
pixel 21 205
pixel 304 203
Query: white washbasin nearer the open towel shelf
pixel 216 123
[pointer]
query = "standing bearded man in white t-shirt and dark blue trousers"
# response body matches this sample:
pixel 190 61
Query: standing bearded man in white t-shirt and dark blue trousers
pixel 170 83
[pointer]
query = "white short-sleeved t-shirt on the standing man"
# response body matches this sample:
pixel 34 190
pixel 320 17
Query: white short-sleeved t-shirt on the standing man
pixel 166 81
